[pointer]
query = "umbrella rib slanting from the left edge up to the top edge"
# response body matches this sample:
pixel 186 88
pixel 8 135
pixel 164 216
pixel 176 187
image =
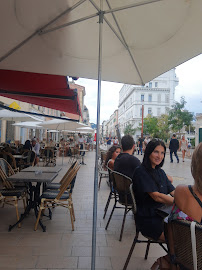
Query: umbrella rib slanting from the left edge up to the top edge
pixel 38 31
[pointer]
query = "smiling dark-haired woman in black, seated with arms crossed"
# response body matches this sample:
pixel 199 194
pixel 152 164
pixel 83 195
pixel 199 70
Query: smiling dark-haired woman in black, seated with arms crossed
pixel 151 187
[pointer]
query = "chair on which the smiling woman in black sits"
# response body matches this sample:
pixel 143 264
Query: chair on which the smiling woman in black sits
pixel 136 240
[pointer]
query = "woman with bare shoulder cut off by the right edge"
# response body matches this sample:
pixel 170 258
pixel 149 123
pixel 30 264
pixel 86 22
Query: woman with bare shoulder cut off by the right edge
pixel 188 199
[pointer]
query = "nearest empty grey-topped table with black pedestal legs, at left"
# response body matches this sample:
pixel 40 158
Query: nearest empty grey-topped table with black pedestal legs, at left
pixel 37 177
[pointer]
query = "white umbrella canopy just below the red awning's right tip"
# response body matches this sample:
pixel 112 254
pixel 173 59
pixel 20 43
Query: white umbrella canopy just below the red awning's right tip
pixel 61 125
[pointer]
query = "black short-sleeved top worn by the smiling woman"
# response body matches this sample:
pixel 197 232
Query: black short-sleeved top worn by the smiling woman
pixel 145 181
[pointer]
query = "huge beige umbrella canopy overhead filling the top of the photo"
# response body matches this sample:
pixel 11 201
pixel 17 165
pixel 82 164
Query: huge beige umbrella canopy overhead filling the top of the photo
pixel 142 39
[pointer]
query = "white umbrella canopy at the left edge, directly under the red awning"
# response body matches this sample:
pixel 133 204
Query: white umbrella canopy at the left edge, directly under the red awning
pixel 15 116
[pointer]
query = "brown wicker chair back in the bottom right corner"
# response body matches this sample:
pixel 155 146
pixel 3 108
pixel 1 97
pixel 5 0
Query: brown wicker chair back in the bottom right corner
pixel 181 251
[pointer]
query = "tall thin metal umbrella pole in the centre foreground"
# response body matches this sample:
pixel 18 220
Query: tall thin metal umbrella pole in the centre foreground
pixel 93 255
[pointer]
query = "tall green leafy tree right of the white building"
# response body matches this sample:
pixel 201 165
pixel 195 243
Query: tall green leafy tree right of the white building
pixel 178 116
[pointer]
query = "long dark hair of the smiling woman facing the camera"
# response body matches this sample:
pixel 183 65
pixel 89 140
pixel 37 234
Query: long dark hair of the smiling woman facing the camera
pixel 149 149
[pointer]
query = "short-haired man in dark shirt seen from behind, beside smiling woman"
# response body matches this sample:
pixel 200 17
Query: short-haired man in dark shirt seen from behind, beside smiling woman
pixel 125 162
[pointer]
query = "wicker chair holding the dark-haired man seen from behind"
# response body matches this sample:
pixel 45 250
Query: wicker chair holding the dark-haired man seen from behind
pixel 121 184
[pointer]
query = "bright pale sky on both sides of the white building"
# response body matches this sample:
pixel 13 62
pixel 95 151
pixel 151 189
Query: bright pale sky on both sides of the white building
pixel 190 86
